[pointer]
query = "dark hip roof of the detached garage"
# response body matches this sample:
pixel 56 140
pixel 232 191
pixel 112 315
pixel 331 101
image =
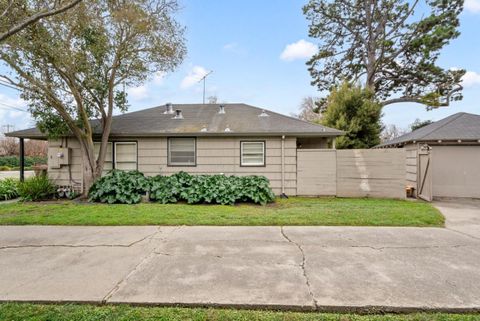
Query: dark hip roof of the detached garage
pixel 459 126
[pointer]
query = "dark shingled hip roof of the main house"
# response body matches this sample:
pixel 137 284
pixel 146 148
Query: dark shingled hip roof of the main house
pixel 203 120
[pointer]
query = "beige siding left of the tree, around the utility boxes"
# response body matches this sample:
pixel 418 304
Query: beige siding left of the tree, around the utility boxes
pixel 67 175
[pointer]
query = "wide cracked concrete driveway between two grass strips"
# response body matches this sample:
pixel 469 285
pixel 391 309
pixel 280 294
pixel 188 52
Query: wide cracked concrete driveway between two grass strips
pixel 322 268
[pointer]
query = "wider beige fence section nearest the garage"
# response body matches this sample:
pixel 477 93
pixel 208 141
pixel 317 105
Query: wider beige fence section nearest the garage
pixel 371 172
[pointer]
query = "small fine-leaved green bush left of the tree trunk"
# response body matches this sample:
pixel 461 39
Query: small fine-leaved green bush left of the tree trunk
pixel 36 188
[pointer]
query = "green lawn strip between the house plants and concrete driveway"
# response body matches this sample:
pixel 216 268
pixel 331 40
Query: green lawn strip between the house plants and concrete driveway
pixel 294 211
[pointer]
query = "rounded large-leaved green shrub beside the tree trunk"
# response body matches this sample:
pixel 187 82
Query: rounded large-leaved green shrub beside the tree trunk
pixel 119 187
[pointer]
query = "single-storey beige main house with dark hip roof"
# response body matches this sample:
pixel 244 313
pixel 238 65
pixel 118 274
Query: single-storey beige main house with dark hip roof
pixel 233 139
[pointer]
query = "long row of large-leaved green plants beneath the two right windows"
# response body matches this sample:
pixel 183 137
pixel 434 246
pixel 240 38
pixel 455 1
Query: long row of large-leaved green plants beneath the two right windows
pixel 216 189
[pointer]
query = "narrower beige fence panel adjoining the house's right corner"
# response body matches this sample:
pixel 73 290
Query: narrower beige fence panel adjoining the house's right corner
pixel 316 172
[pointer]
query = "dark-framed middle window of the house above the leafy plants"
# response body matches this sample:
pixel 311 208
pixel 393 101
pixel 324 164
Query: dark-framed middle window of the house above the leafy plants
pixel 182 152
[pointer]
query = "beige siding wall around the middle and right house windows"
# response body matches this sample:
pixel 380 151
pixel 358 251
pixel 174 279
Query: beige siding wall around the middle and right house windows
pixel 222 155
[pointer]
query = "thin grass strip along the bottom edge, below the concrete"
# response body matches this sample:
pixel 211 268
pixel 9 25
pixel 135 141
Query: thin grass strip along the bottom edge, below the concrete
pixel 34 312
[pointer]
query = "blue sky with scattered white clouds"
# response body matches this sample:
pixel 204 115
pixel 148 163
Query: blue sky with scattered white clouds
pixel 257 51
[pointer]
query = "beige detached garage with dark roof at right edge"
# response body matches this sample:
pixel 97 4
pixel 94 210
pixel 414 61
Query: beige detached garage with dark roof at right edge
pixel 443 158
